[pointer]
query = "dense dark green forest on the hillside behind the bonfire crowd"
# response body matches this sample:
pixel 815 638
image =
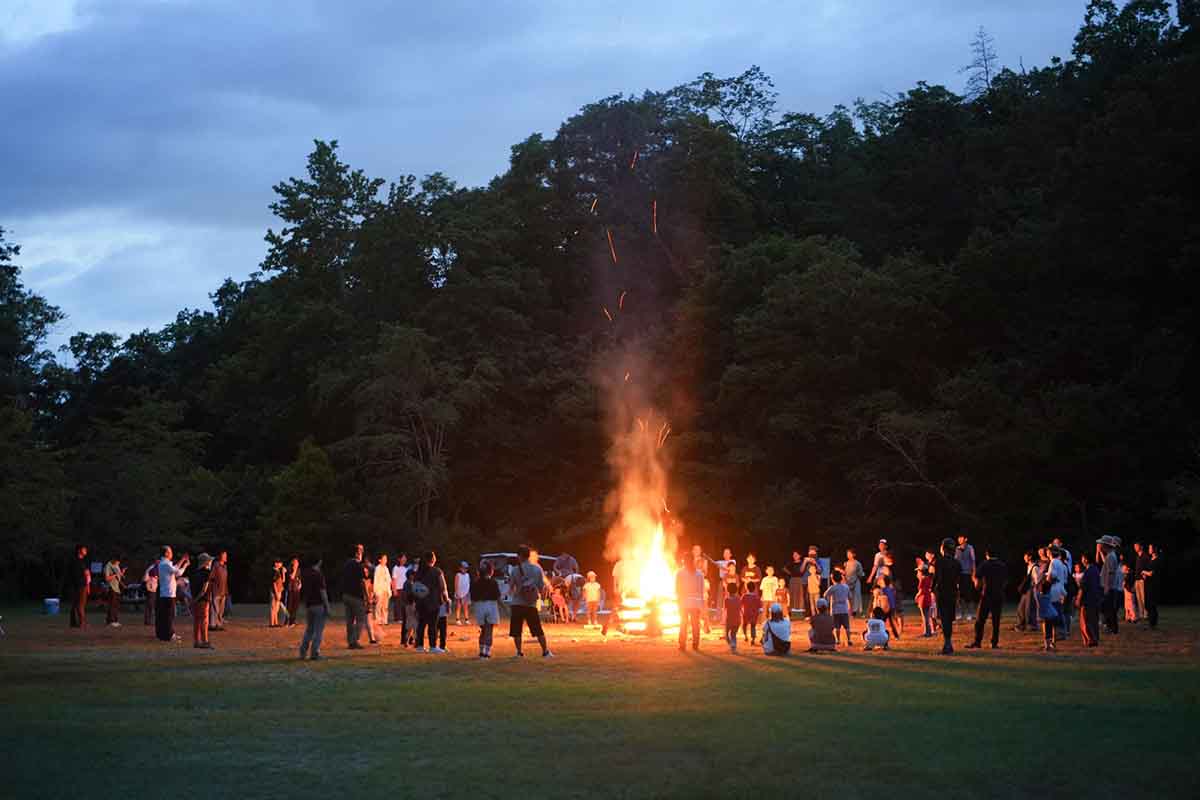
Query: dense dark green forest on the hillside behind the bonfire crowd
pixel 911 317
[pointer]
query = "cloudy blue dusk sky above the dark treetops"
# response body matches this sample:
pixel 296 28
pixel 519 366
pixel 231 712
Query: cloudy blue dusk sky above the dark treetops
pixel 141 139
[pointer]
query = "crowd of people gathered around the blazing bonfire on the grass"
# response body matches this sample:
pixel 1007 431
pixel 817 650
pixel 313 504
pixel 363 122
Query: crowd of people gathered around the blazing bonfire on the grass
pixel 755 604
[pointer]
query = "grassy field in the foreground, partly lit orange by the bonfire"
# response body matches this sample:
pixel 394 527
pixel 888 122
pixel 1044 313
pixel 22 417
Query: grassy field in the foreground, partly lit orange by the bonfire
pixel 113 712
